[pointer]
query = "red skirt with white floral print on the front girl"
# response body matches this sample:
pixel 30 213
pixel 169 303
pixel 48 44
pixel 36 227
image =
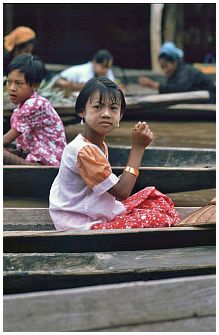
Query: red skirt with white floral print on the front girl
pixel 147 208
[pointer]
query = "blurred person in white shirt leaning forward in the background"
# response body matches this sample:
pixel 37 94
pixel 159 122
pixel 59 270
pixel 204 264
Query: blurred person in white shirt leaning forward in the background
pixel 74 78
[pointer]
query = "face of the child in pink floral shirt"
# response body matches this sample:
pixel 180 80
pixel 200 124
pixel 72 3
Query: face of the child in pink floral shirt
pixel 18 90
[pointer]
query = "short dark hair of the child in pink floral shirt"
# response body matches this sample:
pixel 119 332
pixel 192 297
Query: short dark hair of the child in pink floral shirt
pixel 31 66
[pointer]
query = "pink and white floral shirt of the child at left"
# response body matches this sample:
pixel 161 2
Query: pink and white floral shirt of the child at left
pixel 42 131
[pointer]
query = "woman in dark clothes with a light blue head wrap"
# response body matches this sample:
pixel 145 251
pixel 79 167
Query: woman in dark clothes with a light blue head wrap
pixel 181 77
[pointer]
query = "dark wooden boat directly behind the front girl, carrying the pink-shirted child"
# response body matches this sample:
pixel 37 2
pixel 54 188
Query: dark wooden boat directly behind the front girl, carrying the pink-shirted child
pixel 169 169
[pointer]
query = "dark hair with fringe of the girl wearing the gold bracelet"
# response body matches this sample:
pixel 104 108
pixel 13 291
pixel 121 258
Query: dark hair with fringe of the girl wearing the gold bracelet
pixel 107 89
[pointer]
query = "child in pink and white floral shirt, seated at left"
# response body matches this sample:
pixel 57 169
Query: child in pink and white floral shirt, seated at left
pixel 35 125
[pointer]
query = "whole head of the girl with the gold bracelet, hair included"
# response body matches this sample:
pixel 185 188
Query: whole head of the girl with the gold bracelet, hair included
pixel 101 103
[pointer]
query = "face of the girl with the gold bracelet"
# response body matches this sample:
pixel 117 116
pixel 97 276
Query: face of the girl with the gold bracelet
pixel 101 116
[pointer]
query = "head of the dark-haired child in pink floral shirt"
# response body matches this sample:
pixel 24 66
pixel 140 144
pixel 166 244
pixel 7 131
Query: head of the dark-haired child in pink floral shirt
pixel 24 75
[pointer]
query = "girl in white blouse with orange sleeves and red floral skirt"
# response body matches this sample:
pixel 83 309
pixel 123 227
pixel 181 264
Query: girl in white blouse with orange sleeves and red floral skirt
pixel 86 194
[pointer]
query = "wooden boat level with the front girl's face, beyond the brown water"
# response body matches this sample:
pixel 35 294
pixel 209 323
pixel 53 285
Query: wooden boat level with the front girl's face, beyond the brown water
pixel 170 106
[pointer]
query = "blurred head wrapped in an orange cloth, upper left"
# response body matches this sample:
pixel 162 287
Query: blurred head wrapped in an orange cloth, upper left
pixel 20 41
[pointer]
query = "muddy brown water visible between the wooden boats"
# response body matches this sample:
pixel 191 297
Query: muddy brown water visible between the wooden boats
pixel 175 134
